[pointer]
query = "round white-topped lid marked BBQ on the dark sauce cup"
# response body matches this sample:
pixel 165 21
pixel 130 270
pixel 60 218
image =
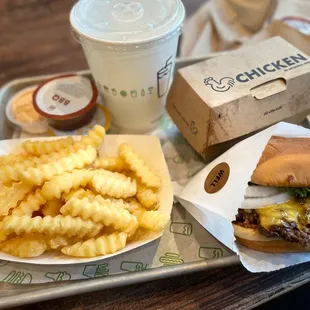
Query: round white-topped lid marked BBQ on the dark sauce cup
pixel 65 97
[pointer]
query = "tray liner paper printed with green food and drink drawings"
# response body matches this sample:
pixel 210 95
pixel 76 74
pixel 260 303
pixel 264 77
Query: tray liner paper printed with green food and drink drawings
pixel 184 239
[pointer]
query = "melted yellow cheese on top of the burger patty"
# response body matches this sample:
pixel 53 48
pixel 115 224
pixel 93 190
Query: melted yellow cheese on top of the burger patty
pixel 290 211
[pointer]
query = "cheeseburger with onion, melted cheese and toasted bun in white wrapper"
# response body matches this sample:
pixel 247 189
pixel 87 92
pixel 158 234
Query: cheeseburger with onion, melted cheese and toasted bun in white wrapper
pixel 275 214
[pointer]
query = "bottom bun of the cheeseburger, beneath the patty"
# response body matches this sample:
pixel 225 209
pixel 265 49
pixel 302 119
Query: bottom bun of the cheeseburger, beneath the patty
pixel 252 239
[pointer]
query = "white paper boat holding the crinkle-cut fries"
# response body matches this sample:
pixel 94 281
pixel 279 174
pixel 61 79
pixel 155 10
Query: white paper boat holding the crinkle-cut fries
pixel 149 148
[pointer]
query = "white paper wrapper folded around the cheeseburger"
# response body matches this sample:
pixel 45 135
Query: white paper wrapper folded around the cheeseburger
pixel 216 211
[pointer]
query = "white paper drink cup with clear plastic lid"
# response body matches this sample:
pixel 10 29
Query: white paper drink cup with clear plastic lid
pixel 131 48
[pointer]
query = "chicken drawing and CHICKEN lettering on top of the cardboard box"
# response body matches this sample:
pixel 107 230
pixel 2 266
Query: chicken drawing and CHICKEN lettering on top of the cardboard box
pixel 285 64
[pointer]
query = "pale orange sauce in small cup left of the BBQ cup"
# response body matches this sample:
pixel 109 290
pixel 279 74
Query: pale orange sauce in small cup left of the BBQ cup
pixel 23 109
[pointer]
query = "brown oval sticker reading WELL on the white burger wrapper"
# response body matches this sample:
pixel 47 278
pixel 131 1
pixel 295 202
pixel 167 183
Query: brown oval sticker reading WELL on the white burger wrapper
pixel 217 178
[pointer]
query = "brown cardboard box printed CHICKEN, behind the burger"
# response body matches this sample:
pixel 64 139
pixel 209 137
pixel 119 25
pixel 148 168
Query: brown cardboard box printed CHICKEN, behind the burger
pixel 227 97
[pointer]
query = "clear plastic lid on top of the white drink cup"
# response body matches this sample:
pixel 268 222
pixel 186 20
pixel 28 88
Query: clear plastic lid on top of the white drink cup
pixel 127 21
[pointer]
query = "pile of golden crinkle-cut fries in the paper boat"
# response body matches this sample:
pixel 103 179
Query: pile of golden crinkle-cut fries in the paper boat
pixel 60 196
